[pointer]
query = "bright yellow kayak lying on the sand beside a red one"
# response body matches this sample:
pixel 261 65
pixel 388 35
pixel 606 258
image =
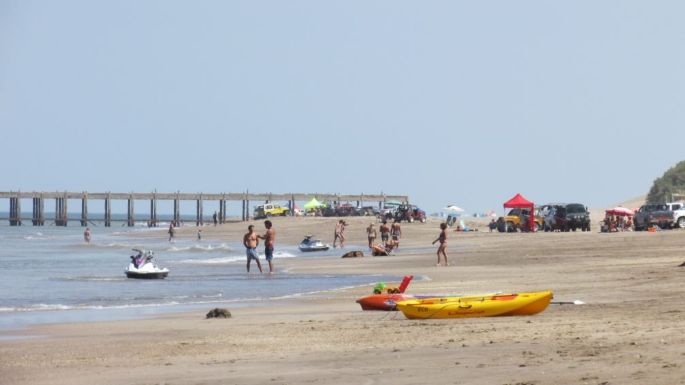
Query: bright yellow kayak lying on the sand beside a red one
pixel 491 305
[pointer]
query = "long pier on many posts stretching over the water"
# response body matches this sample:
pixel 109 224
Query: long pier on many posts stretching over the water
pixel 62 198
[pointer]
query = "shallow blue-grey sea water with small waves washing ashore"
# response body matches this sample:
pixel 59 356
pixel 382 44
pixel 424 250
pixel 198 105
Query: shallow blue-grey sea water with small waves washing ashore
pixel 48 274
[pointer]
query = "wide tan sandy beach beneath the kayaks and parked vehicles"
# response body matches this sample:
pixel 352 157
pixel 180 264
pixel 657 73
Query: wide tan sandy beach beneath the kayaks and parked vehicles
pixel 629 331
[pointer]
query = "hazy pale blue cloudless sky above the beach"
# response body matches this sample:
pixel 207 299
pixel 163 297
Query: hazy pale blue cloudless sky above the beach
pixel 450 102
